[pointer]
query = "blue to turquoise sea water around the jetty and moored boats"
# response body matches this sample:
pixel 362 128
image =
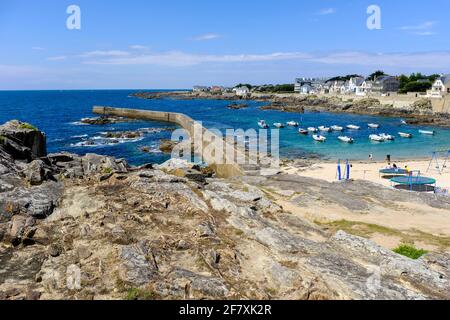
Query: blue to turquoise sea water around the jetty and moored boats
pixel 57 113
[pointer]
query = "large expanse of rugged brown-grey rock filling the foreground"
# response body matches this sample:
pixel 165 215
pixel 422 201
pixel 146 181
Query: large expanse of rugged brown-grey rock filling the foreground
pixel 173 232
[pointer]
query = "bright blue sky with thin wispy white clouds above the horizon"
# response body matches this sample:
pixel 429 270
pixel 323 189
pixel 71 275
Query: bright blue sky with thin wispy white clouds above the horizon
pixel 180 43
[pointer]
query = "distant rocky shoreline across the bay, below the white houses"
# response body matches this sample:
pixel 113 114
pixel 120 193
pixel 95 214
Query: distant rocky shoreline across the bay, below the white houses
pixel 419 113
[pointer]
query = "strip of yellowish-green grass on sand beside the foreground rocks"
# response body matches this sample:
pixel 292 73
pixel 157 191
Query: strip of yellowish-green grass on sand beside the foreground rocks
pixel 367 230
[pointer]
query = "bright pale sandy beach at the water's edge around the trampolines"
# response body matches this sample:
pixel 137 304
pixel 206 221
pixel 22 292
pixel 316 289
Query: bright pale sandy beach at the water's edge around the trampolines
pixel 369 170
